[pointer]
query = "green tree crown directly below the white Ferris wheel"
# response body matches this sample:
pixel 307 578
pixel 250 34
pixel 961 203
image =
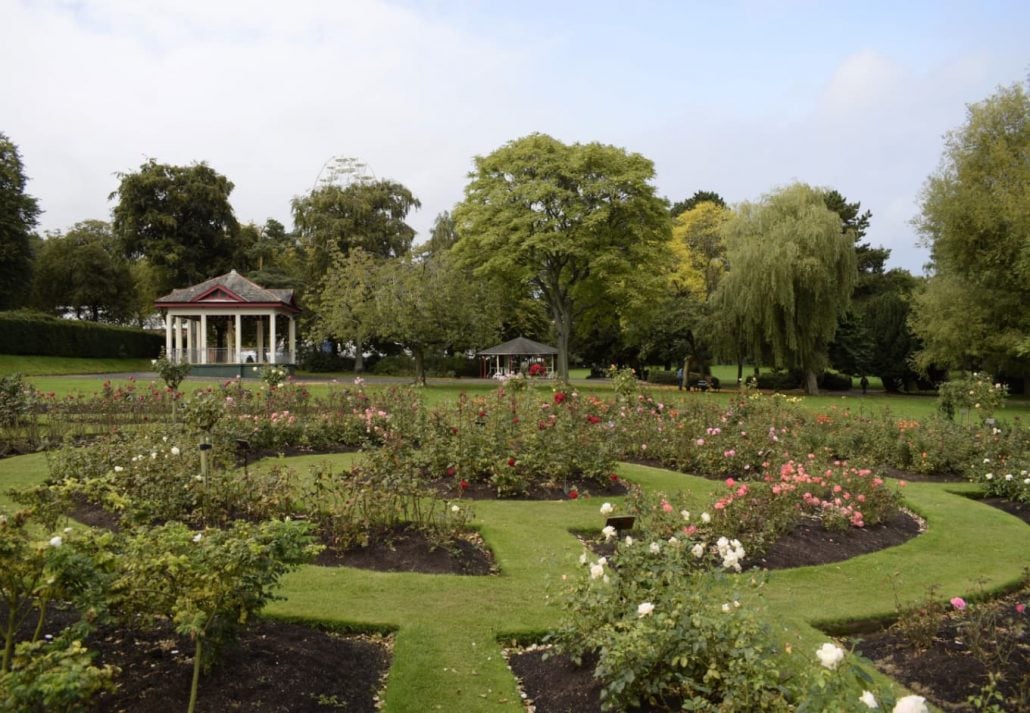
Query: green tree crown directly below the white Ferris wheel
pixel 368 214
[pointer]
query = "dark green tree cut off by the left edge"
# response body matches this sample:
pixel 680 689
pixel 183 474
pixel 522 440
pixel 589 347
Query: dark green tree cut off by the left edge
pixel 19 215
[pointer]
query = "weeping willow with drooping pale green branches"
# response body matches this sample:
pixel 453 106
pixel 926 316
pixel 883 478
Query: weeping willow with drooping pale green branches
pixel 792 276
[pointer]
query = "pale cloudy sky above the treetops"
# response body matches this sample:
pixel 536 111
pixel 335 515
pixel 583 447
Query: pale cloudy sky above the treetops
pixel 734 97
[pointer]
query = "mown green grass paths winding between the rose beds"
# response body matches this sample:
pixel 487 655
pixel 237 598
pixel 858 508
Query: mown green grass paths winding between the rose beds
pixel 448 651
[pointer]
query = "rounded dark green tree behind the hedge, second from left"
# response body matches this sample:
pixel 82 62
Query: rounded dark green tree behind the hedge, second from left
pixel 85 273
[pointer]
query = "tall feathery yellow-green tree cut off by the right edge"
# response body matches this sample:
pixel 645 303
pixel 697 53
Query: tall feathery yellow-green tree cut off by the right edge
pixel 976 220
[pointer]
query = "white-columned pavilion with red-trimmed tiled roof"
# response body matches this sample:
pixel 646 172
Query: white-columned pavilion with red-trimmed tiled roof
pixel 205 326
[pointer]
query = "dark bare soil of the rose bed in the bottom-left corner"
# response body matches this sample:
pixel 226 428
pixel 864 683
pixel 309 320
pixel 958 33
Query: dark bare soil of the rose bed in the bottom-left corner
pixel 274 668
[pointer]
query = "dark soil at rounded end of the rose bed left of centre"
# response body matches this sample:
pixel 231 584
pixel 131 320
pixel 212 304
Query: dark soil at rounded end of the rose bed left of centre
pixel 406 550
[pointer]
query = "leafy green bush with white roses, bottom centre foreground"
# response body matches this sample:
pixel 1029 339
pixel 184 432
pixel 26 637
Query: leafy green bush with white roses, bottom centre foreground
pixel 670 633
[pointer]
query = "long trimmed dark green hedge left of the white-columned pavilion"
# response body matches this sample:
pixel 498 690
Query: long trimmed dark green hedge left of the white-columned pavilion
pixel 42 335
